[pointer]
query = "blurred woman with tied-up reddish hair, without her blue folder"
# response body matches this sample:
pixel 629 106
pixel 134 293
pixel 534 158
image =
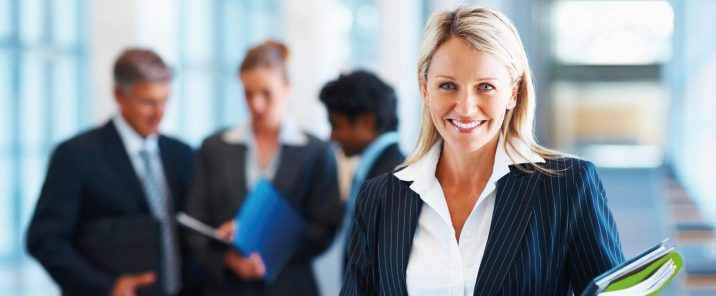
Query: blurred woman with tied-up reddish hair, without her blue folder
pixel 269 145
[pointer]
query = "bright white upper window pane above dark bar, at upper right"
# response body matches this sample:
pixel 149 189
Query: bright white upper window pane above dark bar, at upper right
pixel 612 32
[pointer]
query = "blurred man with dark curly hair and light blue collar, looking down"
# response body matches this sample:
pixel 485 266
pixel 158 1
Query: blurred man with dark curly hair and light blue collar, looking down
pixel 362 113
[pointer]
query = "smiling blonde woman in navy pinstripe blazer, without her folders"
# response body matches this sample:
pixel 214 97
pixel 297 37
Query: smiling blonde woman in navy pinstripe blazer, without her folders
pixel 479 207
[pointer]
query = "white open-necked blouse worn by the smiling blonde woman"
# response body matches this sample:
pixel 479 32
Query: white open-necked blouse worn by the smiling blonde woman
pixel 438 265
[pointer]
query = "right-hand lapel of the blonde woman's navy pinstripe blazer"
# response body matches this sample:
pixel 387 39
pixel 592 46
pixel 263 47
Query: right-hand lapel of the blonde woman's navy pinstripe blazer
pixel 513 208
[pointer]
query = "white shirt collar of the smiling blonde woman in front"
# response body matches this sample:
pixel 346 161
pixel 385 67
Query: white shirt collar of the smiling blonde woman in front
pixel 422 172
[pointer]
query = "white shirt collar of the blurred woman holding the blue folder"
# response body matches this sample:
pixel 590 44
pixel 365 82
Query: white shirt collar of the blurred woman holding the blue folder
pixel 290 134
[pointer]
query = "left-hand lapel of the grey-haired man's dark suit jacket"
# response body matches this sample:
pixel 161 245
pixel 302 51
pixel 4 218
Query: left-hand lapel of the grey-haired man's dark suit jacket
pixel 120 163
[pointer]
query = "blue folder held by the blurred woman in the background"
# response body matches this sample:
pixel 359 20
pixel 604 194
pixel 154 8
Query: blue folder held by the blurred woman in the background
pixel 268 224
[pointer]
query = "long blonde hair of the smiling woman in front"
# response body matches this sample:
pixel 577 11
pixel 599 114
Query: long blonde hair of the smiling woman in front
pixel 492 32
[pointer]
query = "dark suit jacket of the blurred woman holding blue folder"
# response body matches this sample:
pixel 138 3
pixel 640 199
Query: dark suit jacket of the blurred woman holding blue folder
pixel 306 176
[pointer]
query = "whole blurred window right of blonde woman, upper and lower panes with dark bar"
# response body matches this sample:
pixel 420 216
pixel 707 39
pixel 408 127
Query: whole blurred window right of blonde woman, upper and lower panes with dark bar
pixel 608 101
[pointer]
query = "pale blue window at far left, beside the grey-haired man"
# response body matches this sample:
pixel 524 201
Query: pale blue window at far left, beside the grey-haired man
pixel 43 95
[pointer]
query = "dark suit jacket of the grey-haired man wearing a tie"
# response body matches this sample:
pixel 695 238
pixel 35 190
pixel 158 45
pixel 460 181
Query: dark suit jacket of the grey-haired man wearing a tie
pixel 92 186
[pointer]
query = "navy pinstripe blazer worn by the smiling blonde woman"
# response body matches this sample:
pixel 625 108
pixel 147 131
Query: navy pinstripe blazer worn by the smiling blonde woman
pixel 549 234
